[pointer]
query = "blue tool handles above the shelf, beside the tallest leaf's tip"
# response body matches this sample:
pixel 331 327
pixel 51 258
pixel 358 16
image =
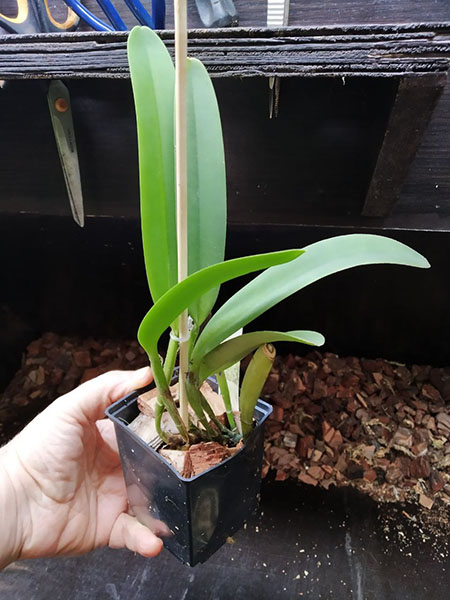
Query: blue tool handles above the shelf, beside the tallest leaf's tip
pixel 156 20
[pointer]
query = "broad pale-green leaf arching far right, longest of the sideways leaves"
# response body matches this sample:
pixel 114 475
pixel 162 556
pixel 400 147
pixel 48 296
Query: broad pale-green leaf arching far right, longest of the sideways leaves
pixel 319 260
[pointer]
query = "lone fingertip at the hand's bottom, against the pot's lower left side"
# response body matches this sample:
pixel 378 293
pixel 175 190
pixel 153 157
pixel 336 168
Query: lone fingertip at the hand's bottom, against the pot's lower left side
pixel 127 532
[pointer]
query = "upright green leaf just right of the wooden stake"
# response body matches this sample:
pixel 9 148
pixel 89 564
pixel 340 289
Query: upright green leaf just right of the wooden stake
pixel 207 201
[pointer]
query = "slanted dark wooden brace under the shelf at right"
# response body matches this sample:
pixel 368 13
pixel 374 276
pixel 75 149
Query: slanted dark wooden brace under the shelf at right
pixel 411 112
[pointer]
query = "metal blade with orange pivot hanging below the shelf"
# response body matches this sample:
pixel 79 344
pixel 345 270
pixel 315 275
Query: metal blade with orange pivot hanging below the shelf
pixel 61 116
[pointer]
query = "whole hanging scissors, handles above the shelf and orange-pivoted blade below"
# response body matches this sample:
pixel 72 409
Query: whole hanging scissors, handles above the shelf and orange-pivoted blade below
pixel 34 16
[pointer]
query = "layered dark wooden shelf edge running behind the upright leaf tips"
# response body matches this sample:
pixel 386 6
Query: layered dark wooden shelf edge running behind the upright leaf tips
pixel 332 51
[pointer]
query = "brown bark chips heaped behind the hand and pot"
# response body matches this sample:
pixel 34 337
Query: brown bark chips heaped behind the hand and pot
pixel 378 426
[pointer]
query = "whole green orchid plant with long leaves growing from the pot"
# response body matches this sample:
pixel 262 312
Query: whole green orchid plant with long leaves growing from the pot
pixel 284 273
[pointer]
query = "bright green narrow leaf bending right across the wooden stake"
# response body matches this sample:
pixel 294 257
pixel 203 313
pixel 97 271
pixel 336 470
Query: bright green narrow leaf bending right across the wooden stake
pixel 184 293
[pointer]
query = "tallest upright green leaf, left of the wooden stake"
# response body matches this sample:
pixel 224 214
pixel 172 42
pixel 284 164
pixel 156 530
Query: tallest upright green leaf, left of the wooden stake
pixel 153 80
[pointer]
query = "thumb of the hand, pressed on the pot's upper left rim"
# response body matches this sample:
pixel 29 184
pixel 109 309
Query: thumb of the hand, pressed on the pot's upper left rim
pixel 93 397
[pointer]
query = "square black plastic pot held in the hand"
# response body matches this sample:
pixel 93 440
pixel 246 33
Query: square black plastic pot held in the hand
pixel 193 516
